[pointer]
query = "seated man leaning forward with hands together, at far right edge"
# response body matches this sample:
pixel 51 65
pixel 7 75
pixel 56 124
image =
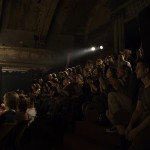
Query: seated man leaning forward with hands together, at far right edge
pixel 139 125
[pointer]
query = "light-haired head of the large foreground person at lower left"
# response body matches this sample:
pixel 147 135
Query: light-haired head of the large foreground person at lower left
pixel 11 100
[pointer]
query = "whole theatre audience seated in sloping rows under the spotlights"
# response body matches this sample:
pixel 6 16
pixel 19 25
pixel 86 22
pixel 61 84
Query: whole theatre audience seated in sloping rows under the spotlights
pixel 117 87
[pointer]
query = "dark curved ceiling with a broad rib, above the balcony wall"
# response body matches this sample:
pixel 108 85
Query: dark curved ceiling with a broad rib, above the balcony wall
pixel 65 17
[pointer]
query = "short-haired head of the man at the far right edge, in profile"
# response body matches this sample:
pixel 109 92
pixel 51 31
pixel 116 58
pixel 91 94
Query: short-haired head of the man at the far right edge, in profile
pixel 143 68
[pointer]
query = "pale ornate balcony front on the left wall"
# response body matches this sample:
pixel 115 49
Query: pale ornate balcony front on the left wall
pixel 27 58
